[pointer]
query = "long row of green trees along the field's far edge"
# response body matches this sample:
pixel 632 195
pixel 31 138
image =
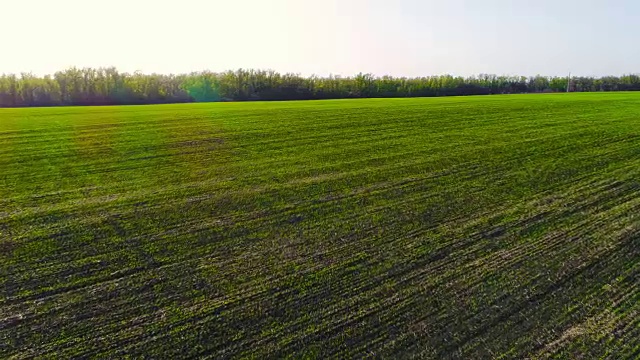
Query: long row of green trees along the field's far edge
pixel 108 86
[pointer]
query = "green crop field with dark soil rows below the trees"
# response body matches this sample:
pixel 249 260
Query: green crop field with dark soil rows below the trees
pixel 480 227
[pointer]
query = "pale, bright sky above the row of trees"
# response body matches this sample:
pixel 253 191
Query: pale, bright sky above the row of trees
pixel 383 37
